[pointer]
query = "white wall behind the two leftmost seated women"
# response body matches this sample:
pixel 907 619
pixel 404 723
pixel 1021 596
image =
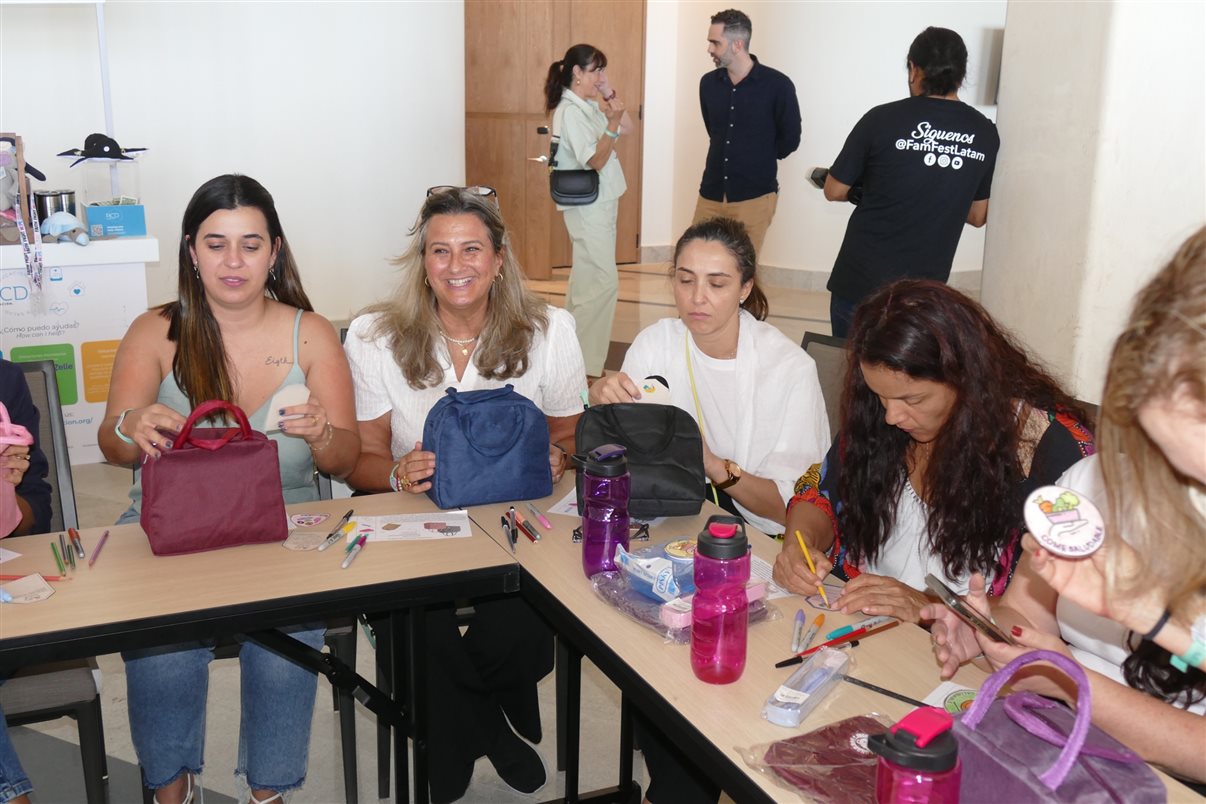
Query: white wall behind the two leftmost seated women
pixel 346 111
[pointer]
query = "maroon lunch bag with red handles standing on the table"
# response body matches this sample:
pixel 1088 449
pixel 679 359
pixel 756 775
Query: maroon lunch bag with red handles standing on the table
pixel 216 488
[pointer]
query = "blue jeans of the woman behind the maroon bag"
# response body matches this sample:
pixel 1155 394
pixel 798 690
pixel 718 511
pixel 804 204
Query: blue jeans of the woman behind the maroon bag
pixel 167 689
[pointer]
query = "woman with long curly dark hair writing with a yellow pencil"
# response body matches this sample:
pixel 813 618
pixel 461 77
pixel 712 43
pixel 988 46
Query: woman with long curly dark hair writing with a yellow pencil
pixel 947 425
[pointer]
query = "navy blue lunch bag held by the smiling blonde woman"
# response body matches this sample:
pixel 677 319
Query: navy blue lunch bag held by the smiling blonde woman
pixel 491 447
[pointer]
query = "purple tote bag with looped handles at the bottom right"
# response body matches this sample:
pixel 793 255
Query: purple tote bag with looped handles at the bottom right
pixel 1026 748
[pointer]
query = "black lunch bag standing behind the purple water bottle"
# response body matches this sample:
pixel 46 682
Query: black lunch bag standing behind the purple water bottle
pixel 665 455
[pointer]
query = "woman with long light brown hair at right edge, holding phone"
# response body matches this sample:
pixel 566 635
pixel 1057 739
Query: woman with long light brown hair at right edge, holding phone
pixel 1134 613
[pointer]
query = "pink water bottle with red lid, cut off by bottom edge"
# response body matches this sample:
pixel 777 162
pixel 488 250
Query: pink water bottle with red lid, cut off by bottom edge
pixel 918 760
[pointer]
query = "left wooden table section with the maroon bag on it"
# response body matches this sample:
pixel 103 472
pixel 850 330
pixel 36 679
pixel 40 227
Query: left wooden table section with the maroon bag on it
pixel 132 598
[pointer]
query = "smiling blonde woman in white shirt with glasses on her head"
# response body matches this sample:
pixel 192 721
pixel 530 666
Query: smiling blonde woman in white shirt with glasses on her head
pixel 463 319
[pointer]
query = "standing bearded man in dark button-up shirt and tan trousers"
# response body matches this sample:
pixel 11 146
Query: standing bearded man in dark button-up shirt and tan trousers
pixel 753 120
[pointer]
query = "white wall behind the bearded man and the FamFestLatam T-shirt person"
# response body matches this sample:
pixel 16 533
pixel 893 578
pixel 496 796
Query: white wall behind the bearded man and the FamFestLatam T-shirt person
pixel 845 58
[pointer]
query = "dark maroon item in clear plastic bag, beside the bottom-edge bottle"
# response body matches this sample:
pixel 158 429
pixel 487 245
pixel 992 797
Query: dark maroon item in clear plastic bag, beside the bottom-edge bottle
pixel 829 765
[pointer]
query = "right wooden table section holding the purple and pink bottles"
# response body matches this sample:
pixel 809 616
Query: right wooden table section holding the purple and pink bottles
pixel 713 723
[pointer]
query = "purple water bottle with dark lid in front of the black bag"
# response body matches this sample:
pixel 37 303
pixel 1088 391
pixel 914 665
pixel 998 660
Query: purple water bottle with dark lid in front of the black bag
pixel 606 488
